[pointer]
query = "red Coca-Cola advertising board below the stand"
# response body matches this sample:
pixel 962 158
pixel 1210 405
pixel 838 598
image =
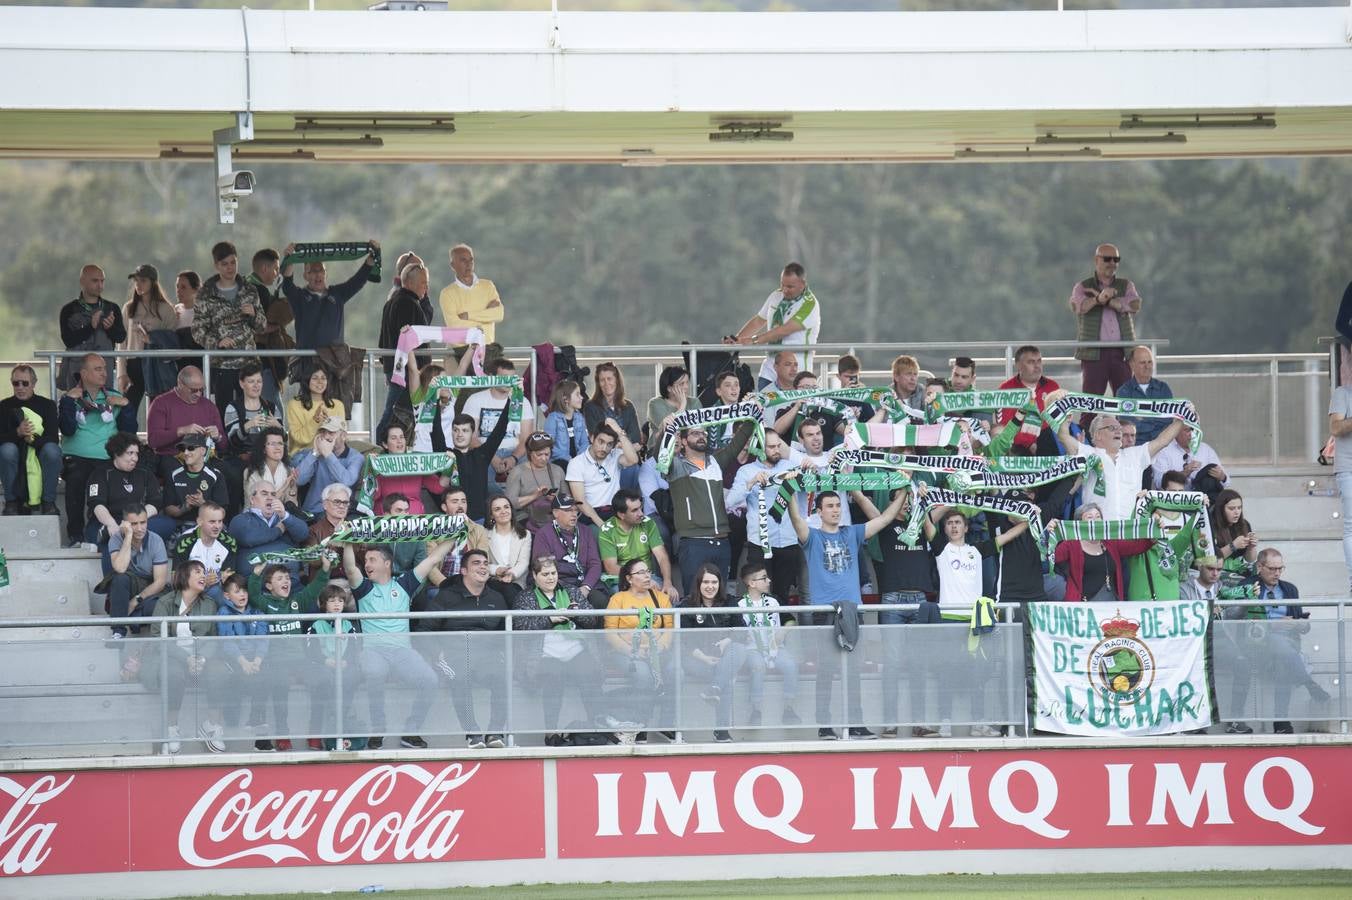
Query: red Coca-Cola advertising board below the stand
pixel 159 820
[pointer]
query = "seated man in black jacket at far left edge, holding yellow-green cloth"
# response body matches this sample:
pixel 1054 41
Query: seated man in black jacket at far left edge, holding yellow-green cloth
pixel 29 426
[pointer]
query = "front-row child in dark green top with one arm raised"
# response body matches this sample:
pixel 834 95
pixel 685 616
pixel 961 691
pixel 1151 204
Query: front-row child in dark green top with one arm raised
pixel 270 594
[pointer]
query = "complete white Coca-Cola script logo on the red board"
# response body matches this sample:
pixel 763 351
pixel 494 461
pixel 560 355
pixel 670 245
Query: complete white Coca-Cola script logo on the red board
pixel 366 820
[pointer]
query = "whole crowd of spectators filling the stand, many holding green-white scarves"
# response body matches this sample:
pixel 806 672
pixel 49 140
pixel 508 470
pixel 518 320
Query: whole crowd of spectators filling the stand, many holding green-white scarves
pixel 567 507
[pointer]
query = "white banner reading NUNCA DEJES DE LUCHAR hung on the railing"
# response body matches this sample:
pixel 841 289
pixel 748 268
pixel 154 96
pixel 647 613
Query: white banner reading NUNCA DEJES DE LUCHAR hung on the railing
pixel 1120 668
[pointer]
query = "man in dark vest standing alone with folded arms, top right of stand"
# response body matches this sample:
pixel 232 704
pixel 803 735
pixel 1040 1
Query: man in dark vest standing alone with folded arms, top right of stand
pixel 1105 307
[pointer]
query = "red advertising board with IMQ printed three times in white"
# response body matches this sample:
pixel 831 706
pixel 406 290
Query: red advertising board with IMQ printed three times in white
pixel 1034 799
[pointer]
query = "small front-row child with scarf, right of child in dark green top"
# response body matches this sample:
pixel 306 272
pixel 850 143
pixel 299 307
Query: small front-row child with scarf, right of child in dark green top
pixel 333 655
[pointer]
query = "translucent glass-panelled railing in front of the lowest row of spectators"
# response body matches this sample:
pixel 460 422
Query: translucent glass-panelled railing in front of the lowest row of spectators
pixel 66 693
